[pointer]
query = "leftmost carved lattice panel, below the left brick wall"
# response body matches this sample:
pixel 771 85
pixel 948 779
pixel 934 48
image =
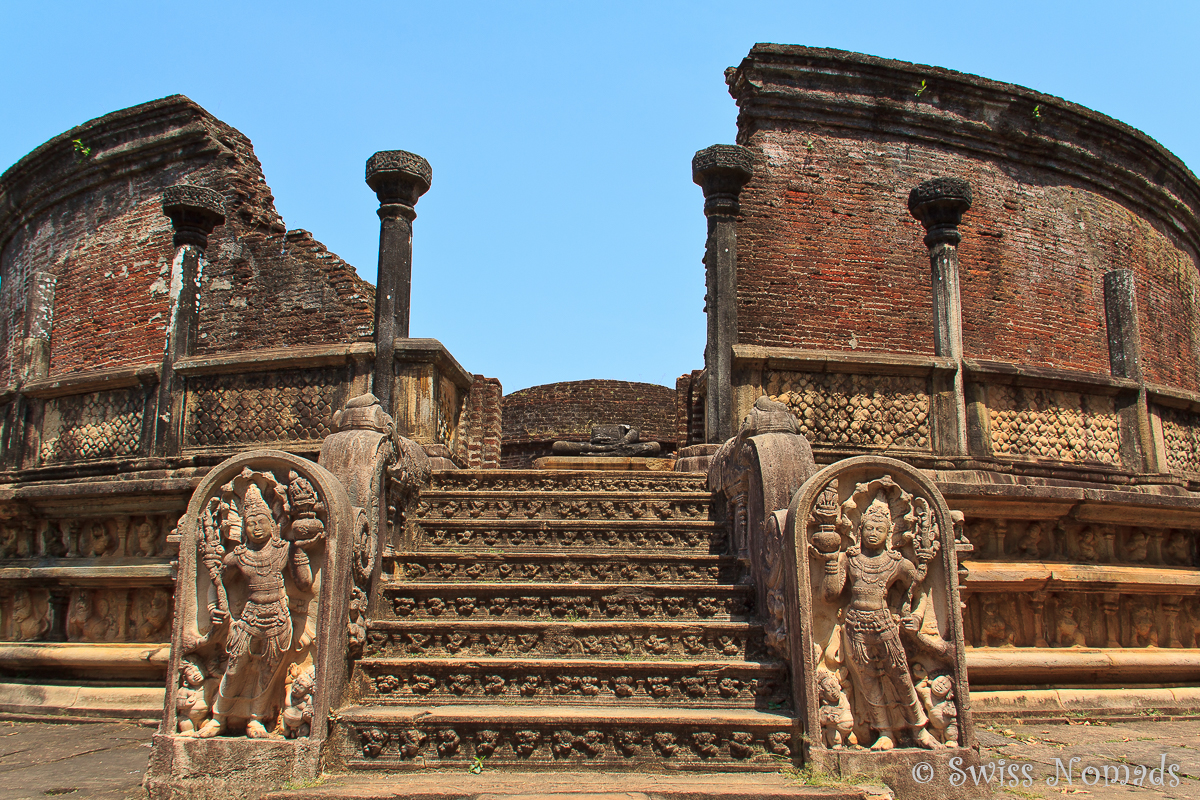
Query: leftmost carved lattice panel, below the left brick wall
pixel 86 428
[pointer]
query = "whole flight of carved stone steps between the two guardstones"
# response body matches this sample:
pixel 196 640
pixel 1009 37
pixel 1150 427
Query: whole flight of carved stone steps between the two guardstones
pixel 566 621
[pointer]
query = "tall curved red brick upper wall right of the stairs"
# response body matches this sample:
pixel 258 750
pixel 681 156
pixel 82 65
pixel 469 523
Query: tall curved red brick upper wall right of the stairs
pixel 830 257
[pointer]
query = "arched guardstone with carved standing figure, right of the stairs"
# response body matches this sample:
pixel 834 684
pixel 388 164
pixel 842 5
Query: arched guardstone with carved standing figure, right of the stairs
pixel 875 624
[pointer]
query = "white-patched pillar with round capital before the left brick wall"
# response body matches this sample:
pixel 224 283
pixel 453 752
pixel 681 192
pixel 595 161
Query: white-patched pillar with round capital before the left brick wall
pixel 195 212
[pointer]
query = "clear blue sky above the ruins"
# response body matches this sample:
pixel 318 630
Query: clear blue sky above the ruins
pixel 562 237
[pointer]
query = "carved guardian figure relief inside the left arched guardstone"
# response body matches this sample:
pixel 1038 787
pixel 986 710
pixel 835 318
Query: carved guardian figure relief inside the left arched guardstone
pixel 261 549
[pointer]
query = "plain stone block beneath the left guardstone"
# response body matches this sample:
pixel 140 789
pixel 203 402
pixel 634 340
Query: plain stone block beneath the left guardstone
pixel 215 769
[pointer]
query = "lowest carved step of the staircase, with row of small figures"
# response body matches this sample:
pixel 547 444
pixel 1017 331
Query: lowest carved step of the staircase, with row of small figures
pixel 592 737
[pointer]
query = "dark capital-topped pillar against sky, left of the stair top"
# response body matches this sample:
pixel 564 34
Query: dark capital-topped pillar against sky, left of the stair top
pixel 399 179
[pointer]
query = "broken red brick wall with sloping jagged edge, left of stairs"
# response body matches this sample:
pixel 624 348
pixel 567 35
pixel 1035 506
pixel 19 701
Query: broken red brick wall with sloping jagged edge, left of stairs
pixel 95 222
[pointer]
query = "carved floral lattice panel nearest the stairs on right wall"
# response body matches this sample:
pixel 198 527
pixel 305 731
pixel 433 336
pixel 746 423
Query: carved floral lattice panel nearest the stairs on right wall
pixel 851 411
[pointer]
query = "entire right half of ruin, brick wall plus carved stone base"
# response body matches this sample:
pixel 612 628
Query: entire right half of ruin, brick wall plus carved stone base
pixel 998 287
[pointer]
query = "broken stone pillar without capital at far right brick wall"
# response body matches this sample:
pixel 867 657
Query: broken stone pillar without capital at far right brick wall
pixel 1138 449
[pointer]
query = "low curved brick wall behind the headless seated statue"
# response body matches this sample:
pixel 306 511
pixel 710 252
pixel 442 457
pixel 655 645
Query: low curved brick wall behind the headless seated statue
pixel 538 417
